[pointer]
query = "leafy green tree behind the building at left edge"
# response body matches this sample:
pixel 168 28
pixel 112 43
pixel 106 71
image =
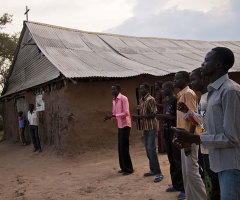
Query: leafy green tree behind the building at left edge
pixel 8 44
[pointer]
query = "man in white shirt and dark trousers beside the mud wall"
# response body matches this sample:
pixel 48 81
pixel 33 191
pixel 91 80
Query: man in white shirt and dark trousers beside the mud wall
pixel 33 126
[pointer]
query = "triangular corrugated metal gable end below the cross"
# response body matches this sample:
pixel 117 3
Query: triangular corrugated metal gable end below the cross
pixel 31 67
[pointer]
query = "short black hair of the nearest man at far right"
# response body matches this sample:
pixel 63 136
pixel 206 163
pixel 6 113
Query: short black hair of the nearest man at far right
pixel 225 56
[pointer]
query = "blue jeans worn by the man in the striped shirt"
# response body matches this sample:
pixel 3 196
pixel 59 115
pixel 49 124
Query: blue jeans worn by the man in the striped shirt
pixel 150 145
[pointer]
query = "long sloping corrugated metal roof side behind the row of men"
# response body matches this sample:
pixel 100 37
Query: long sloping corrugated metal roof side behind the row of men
pixel 83 54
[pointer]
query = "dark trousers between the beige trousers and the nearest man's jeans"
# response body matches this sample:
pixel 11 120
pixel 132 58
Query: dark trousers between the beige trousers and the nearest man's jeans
pixel 211 180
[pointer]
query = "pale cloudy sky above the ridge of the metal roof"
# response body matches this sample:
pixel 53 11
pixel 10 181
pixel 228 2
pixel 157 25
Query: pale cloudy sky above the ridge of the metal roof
pixel 181 19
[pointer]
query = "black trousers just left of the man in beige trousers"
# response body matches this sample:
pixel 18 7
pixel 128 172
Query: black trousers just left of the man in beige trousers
pixel 174 157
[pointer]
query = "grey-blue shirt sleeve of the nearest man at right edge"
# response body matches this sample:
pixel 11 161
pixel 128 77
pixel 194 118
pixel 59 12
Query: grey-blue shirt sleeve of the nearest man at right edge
pixel 230 136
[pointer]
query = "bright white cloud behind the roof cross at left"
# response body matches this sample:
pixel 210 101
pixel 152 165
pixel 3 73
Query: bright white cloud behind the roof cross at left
pixel 90 15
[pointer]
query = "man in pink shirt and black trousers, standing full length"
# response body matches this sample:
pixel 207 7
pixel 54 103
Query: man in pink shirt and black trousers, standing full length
pixel 121 113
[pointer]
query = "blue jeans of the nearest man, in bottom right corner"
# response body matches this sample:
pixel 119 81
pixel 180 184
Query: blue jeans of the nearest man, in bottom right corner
pixel 229 181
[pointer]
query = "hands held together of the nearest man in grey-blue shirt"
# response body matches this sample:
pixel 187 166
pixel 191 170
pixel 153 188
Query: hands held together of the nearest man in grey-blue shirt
pixel 183 138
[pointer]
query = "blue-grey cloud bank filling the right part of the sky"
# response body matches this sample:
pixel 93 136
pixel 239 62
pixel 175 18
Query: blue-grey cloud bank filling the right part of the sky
pixel 181 22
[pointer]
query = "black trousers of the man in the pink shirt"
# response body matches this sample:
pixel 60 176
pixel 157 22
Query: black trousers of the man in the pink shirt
pixel 123 149
